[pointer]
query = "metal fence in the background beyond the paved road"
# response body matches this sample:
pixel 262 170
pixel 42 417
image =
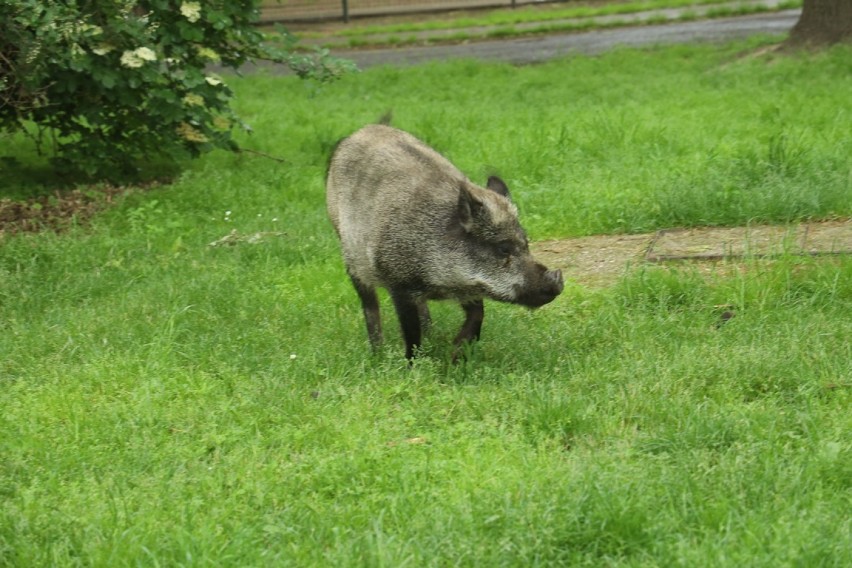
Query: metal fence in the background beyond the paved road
pixel 306 10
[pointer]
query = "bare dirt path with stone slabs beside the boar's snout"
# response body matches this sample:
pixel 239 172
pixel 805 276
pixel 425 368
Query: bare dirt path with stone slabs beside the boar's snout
pixel 600 260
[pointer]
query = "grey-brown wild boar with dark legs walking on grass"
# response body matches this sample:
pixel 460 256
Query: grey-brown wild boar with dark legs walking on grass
pixel 409 221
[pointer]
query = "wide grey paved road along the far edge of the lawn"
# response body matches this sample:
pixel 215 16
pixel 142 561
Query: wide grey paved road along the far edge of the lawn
pixel 542 48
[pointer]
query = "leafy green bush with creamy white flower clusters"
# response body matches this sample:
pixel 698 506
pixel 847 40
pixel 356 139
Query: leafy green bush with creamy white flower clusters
pixel 106 83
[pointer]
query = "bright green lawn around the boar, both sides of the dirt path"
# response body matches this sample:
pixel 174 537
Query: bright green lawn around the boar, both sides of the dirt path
pixel 165 402
